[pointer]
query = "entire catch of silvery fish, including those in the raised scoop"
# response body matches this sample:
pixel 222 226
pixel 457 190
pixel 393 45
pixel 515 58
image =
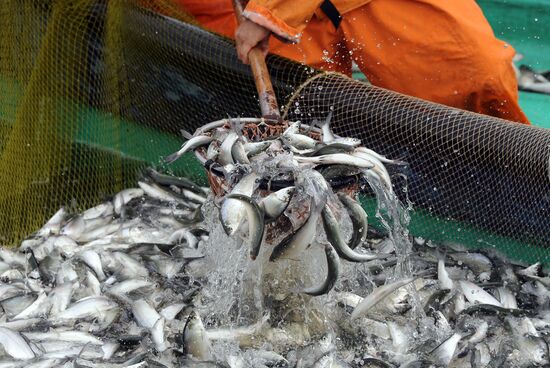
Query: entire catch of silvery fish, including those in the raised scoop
pixel 262 274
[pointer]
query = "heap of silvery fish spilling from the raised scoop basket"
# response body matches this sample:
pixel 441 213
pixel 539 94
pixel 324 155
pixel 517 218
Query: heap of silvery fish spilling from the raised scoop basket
pixel 309 164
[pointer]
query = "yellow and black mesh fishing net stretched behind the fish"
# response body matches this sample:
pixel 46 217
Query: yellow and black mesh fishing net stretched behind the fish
pixel 93 91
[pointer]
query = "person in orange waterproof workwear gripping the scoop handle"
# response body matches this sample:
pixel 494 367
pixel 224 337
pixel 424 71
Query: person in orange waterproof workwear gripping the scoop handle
pixel 440 51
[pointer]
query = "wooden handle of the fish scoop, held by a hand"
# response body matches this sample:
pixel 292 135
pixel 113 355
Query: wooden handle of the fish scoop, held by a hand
pixel 266 94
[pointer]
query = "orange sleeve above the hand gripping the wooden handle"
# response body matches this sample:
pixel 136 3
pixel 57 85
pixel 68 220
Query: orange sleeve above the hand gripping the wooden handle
pixel 285 18
